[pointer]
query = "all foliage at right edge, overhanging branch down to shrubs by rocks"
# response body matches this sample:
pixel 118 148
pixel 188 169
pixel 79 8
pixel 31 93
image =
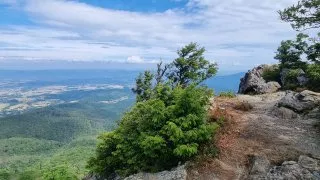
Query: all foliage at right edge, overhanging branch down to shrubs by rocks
pixel 304 15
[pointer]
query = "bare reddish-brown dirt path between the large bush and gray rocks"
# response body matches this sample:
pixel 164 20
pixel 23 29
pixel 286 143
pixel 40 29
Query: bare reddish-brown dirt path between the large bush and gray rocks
pixel 254 125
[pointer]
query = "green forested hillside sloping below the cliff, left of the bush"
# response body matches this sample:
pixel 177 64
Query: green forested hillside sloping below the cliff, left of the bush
pixel 58 138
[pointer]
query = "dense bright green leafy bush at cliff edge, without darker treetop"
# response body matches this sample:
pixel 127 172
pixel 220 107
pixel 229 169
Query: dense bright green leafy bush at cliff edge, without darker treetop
pixel 156 134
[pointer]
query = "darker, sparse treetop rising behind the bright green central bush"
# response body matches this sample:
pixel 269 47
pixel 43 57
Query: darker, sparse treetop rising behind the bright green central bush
pixel 189 68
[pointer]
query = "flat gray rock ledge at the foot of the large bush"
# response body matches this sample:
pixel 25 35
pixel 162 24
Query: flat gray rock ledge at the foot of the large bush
pixel 178 173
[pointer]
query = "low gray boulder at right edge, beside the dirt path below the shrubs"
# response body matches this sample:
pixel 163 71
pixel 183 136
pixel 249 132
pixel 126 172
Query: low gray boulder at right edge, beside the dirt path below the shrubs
pixel 300 102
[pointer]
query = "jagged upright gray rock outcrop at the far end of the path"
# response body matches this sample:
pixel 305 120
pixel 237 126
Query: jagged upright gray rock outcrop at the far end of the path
pixel 253 82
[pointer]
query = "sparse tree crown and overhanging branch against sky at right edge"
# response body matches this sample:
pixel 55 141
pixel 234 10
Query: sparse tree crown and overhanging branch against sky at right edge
pixel 303 15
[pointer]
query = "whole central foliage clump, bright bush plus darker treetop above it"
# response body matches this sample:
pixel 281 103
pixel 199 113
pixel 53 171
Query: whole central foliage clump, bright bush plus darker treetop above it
pixel 167 125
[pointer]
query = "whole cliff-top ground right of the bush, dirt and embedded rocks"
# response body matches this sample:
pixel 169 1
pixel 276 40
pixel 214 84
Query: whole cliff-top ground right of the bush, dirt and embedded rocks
pixel 269 136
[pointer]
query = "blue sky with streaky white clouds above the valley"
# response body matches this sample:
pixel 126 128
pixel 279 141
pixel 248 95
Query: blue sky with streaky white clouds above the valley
pixel 238 34
